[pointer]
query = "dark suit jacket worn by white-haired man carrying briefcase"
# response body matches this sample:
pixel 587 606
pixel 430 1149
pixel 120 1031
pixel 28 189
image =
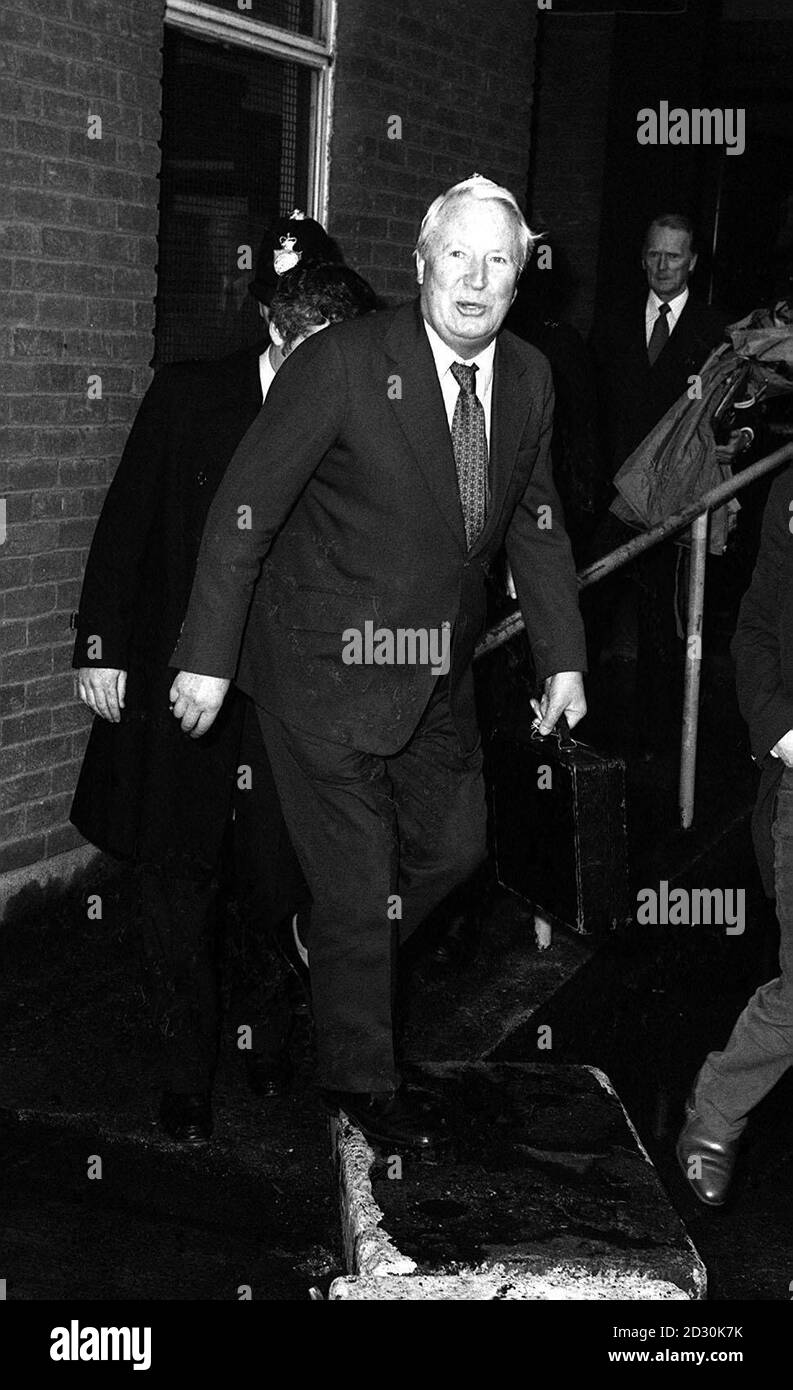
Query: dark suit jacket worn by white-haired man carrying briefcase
pixel 351 482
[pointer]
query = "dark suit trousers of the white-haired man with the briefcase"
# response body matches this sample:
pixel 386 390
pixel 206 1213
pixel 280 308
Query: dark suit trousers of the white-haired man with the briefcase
pixel 367 829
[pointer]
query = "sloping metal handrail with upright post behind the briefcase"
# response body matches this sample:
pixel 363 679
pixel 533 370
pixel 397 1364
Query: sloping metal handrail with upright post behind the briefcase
pixel 695 516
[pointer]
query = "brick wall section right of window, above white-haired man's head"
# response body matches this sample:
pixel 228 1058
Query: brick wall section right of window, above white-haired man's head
pixel 459 77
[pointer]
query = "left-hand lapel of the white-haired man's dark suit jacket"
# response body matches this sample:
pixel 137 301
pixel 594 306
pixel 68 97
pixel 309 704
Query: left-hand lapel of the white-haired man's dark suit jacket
pixel 421 415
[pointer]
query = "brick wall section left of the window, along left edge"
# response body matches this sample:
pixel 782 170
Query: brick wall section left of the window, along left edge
pixel 77 270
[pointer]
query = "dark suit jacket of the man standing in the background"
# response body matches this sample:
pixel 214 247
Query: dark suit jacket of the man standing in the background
pixel 635 395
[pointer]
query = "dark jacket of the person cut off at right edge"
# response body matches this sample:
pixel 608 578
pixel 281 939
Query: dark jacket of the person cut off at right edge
pixel 763 650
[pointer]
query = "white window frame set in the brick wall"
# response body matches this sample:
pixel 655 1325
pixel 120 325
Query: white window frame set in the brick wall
pixel 241 31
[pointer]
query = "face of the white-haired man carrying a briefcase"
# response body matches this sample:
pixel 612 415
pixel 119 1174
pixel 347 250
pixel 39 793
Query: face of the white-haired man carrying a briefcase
pixel 469 277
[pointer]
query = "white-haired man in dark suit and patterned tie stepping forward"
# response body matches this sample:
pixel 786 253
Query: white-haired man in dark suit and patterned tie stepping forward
pixel 391 462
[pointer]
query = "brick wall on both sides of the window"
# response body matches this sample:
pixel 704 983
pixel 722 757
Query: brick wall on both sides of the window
pixel 78 265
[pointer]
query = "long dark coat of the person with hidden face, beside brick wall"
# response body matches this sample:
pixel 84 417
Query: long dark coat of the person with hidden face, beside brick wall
pixel 147 790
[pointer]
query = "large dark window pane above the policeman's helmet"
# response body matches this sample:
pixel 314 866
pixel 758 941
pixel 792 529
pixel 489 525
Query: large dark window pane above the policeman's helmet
pixel 235 155
